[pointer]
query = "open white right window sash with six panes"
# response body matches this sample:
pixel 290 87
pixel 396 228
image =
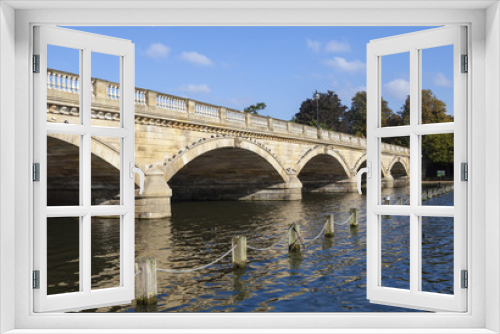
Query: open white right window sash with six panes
pixel 413 43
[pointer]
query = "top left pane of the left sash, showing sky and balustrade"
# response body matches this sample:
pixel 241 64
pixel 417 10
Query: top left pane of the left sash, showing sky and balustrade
pixel 63 85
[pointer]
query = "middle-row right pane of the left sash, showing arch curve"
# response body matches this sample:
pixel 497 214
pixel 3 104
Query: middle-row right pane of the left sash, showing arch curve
pixel 105 173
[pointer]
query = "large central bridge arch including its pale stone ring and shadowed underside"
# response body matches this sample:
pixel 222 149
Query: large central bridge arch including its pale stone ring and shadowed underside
pixel 227 169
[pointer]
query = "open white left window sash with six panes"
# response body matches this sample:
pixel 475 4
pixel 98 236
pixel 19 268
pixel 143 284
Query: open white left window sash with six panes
pixel 85 44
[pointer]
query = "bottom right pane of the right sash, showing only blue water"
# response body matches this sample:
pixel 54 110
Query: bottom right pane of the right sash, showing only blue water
pixel 437 254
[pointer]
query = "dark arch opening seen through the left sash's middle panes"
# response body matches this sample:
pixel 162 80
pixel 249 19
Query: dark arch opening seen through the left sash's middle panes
pixel 63 175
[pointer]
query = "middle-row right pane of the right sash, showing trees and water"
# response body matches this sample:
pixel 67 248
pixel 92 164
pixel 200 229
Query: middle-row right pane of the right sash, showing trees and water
pixel 437 169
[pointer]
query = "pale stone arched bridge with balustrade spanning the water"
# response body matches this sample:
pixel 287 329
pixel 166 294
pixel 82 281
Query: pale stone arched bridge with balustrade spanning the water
pixel 193 150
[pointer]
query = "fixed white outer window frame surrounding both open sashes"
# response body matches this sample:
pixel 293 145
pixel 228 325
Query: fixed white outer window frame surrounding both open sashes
pixel 484 268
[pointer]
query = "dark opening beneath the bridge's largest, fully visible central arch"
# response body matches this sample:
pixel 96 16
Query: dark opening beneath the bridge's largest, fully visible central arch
pixel 227 173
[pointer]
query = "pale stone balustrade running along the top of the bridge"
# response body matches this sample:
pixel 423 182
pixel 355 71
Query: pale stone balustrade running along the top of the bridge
pixel 153 104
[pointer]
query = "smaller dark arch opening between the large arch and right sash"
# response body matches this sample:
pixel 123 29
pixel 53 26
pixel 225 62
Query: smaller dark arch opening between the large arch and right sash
pixel 321 173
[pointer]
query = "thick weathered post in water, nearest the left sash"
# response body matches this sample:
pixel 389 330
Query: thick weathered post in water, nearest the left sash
pixel 146 286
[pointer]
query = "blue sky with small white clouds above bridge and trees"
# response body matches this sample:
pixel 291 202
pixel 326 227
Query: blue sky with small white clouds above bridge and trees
pixel 281 66
